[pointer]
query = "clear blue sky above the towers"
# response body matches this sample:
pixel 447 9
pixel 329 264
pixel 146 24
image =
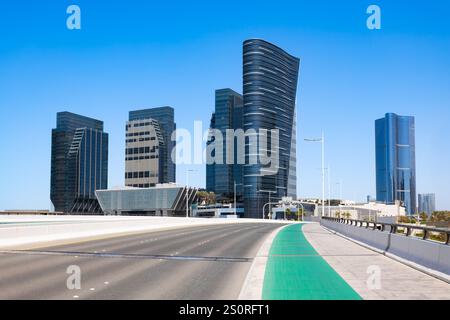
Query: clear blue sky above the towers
pixel 134 54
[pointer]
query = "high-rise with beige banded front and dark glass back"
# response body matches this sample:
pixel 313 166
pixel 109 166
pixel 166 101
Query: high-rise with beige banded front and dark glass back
pixel 149 147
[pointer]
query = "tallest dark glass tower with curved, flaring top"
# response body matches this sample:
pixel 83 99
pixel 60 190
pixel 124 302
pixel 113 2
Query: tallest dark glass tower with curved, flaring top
pixel 270 78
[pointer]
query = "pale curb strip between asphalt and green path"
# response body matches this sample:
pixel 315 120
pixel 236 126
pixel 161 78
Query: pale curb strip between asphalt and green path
pixel 253 285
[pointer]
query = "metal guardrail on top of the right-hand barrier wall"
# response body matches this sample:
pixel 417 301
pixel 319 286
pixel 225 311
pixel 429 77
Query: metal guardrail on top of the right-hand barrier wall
pixel 394 228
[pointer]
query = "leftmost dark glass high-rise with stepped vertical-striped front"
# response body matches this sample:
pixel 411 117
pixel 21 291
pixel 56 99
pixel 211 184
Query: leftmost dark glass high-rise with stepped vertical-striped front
pixel 79 164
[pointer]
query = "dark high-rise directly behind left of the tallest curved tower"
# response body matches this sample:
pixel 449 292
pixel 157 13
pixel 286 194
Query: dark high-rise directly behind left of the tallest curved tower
pixel 222 177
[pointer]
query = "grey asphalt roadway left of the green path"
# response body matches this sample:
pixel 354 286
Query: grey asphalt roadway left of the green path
pixel 131 278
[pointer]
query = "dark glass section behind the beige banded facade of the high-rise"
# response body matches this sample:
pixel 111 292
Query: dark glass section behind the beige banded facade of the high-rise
pixel 166 119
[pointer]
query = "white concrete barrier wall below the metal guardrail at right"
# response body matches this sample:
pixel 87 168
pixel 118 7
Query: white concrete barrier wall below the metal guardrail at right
pixel 426 253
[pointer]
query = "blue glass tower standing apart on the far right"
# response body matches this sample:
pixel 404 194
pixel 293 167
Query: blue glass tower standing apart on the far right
pixel 395 161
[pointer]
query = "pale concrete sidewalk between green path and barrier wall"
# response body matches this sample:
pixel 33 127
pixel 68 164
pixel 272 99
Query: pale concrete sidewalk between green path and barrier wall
pixel 356 264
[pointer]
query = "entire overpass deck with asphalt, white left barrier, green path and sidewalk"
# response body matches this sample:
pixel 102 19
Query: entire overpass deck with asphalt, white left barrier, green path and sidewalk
pixel 180 258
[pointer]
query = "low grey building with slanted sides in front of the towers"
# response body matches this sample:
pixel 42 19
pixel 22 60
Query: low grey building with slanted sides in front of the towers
pixel 161 200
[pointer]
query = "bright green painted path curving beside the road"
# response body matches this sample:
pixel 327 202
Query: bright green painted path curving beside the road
pixel 295 271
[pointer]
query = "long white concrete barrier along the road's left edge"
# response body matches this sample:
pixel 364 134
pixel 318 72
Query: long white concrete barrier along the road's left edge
pixel 32 230
